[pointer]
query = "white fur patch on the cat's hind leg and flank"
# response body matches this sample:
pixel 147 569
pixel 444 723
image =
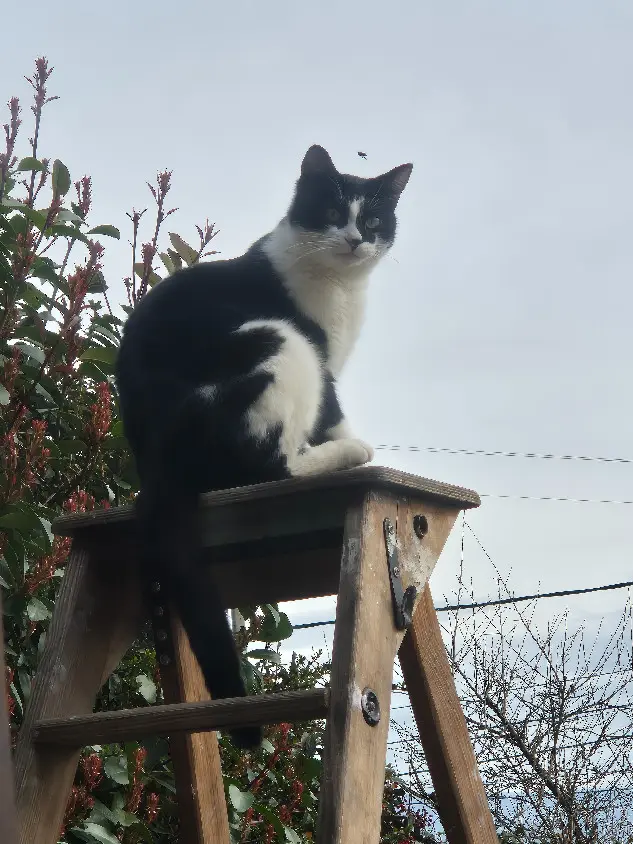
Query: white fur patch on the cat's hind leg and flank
pixel 294 397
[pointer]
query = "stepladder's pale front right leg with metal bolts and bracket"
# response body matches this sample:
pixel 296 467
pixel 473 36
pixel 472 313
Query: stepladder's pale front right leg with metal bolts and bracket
pixel 365 645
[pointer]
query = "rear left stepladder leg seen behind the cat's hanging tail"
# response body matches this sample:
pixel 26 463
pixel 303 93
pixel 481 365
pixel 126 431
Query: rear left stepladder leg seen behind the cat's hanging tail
pixel 195 757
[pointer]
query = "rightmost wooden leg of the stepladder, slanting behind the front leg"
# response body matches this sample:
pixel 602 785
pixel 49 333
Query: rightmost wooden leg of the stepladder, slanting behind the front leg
pixel 463 807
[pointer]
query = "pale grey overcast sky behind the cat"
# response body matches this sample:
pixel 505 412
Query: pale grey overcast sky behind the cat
pixel 502 320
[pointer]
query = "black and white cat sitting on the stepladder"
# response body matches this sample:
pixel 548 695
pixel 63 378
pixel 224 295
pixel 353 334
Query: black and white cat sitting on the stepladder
pixel 227 376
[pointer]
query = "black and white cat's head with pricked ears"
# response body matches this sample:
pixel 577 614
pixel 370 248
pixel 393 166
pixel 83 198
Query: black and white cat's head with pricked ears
pixel 342 220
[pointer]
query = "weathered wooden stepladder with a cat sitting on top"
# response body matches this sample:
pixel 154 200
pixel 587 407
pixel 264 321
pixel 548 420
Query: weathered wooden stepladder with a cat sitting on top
pixel 371 536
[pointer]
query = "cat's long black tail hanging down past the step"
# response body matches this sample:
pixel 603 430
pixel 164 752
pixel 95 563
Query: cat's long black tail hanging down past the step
pixel 171 555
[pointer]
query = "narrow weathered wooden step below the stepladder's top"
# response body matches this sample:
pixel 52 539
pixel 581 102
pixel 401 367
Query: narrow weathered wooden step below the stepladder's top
pixel 127 724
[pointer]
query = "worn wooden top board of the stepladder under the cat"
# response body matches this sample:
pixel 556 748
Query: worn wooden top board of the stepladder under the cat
pixel 350 481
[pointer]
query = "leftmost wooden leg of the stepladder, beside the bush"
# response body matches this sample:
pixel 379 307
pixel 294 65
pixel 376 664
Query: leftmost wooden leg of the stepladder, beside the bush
pixel 96 618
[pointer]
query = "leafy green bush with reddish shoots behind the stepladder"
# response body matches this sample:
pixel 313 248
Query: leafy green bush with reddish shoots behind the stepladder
pixel 63 450
